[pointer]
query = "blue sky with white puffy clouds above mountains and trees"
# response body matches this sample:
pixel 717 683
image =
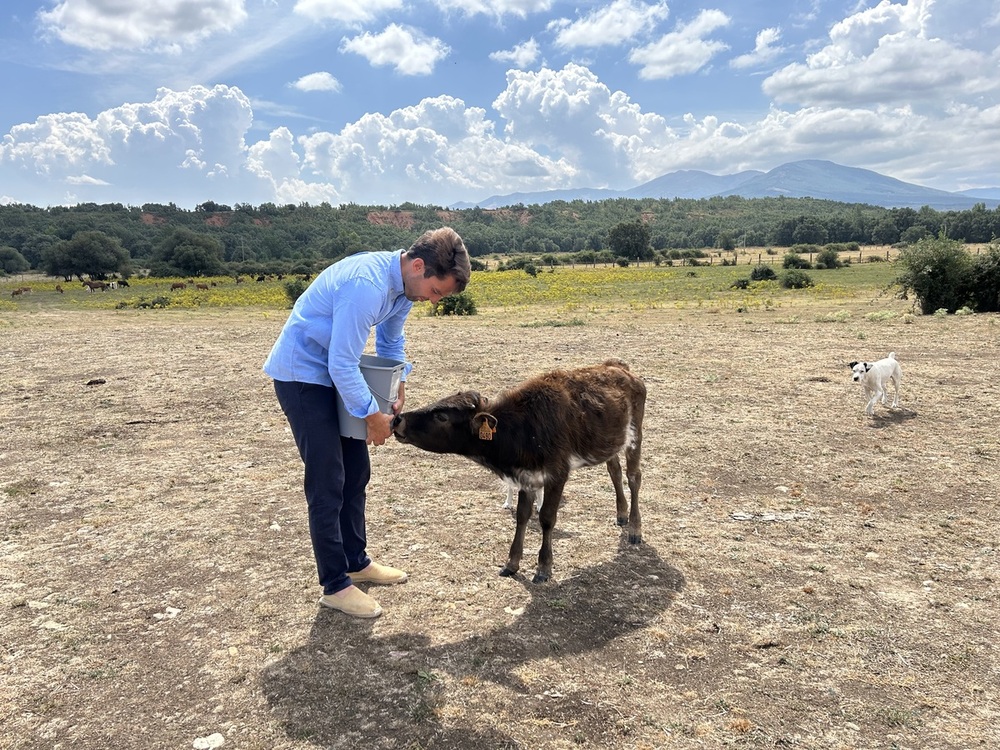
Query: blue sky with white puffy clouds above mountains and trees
pixel 387 101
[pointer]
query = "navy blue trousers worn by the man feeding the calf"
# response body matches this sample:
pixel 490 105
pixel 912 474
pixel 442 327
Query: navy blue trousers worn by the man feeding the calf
pixel 337 470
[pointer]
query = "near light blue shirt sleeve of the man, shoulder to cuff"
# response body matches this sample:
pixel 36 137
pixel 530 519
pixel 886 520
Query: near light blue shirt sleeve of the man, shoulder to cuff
pixel 353 316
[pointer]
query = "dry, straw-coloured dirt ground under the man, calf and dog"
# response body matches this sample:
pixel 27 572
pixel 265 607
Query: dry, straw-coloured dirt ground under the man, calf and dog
pixel 810 578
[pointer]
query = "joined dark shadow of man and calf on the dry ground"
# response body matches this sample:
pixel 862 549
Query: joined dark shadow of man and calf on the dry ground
pixel 350 688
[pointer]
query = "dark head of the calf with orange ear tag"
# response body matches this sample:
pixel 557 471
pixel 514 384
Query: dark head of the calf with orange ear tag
pixel 452 425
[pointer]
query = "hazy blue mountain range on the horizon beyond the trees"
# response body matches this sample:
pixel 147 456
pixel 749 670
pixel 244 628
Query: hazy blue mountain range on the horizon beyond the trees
pixel 809 178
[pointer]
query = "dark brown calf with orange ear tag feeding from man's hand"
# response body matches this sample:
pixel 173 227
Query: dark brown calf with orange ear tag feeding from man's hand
pixel 534 434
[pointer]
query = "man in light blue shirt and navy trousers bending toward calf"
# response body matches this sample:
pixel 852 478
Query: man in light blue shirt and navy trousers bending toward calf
pixel 316 356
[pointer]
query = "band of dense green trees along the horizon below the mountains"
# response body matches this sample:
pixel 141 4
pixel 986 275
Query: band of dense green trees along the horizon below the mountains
pixel 214 239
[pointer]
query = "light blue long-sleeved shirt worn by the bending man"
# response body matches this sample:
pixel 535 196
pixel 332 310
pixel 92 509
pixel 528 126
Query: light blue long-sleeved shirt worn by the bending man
pixel 326 333
